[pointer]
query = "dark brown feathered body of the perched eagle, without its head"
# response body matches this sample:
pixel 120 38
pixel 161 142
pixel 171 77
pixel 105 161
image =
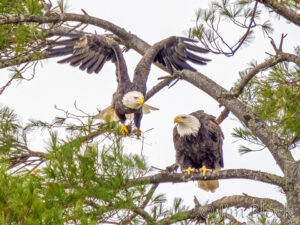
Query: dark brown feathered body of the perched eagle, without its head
pixel 204 149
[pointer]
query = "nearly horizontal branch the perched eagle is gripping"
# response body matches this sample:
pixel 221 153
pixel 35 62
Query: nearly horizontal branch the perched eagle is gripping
pixel 215 175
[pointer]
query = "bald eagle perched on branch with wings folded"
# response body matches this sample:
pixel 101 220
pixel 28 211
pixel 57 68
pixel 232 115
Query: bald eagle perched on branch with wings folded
pixel 198 142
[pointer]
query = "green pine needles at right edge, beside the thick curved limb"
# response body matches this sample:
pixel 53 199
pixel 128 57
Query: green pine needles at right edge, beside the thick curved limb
pixel 275 98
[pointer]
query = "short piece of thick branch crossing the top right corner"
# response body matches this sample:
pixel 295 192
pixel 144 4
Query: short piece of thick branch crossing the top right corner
pixel 280 9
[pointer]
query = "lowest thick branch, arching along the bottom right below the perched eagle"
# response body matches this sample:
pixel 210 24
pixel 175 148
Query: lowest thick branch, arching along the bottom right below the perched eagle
pixel 239 201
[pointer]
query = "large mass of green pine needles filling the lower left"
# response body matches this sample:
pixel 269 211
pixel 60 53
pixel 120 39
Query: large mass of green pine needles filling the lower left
pixel 75 180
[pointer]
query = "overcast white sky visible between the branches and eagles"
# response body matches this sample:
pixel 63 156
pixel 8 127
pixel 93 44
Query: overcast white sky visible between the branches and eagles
pixel 62 85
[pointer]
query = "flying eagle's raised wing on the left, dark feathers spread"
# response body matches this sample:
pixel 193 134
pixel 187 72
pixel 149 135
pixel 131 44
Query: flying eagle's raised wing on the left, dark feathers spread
pixel 88 52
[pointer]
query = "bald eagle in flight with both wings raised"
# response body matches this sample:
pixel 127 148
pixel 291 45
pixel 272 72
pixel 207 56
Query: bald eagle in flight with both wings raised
pixel 90 52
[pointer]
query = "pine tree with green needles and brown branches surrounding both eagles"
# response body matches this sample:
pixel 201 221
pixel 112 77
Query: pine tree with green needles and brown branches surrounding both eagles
pixel 85 177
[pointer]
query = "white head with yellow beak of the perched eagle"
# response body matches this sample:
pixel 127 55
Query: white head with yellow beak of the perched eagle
pixel 187 125
